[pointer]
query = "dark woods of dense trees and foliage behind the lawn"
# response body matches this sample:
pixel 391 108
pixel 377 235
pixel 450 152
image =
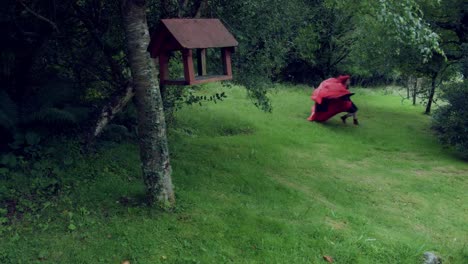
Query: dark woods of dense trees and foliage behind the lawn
pixel 63 63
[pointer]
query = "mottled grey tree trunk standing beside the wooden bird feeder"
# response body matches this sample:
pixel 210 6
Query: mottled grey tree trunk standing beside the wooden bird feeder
pixel 154 151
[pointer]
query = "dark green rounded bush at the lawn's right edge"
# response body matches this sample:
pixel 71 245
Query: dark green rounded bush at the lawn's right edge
pixel 451 121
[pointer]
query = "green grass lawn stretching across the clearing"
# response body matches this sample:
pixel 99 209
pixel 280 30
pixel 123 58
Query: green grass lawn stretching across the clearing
pixel 255 187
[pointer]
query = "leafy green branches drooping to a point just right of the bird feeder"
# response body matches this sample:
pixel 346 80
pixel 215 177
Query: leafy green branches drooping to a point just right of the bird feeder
pixel 265 30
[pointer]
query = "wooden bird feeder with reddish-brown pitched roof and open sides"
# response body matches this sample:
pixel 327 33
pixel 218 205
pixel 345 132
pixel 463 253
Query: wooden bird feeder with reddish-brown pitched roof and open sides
pixel 188 35
